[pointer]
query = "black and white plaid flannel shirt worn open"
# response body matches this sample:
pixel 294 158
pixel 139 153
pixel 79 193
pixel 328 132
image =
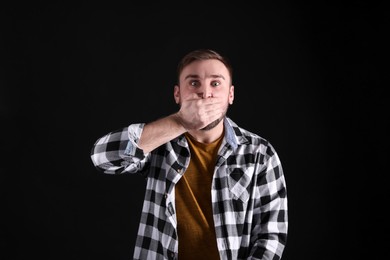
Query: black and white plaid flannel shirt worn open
pixel 249 196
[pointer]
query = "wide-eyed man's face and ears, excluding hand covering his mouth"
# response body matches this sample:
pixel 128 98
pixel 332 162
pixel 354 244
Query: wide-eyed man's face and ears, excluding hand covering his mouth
pixel 206 78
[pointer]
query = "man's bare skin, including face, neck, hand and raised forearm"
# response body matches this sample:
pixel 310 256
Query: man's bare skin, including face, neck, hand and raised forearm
pixel 204 93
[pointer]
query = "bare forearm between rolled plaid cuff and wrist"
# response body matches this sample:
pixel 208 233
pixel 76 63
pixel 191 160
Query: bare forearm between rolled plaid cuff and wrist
pixel 160 132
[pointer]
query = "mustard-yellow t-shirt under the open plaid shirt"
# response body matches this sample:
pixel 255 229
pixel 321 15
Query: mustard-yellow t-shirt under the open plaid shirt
pixel 196 232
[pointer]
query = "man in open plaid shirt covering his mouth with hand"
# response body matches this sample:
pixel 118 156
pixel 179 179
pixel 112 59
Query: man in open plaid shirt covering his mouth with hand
pixel 214 190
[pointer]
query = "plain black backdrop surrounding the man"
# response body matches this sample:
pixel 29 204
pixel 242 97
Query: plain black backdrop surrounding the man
pixel 310 78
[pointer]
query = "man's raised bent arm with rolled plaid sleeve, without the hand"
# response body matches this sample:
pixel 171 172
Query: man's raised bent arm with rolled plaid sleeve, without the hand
pixel 127 149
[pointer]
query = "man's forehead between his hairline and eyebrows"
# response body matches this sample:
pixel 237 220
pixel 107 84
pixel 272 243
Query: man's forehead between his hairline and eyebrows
pixel 205 68
